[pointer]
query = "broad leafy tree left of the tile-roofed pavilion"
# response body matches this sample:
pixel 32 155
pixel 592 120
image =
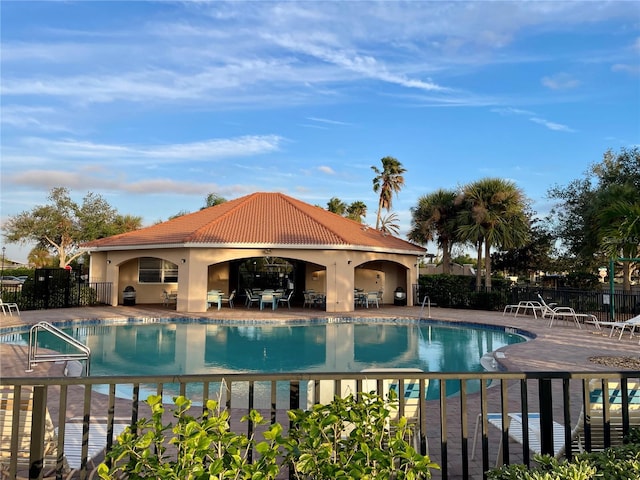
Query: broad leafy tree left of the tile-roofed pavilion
pixel 62 225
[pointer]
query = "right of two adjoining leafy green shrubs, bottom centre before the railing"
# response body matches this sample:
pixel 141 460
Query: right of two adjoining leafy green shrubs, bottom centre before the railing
pixel 354 438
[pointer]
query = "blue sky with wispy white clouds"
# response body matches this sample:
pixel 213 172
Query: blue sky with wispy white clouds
pixel 153 105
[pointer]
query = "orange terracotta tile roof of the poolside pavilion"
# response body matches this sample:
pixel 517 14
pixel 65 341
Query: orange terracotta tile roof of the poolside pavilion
pixel 272 219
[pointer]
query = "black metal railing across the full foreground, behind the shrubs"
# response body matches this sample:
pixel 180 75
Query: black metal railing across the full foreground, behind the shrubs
pixel 558 413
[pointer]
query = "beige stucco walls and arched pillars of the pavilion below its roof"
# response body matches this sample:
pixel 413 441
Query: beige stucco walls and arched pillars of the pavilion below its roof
pixel 336 272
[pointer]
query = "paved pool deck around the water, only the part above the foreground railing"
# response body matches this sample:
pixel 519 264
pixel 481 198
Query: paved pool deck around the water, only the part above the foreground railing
pixel 561 347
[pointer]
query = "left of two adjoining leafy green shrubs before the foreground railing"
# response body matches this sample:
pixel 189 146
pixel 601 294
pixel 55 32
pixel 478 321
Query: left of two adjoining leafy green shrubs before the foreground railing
pixel 200 447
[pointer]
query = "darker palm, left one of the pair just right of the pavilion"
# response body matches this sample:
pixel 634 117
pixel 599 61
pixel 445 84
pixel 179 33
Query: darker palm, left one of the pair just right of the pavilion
pixel 435 218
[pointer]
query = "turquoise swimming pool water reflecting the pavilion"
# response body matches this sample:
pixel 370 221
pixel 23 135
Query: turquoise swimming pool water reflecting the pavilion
pixel 200 348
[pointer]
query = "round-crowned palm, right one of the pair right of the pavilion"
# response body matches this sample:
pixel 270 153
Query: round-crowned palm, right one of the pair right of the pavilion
pixel 493 215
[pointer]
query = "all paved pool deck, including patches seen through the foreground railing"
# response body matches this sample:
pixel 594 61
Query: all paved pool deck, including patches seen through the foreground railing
pixel 562 347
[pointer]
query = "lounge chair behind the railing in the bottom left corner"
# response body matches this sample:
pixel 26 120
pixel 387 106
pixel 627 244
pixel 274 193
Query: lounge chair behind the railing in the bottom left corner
pixel 15 446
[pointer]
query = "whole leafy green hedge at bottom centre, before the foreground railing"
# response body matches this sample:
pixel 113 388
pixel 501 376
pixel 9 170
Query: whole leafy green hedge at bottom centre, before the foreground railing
pixel 349 438
